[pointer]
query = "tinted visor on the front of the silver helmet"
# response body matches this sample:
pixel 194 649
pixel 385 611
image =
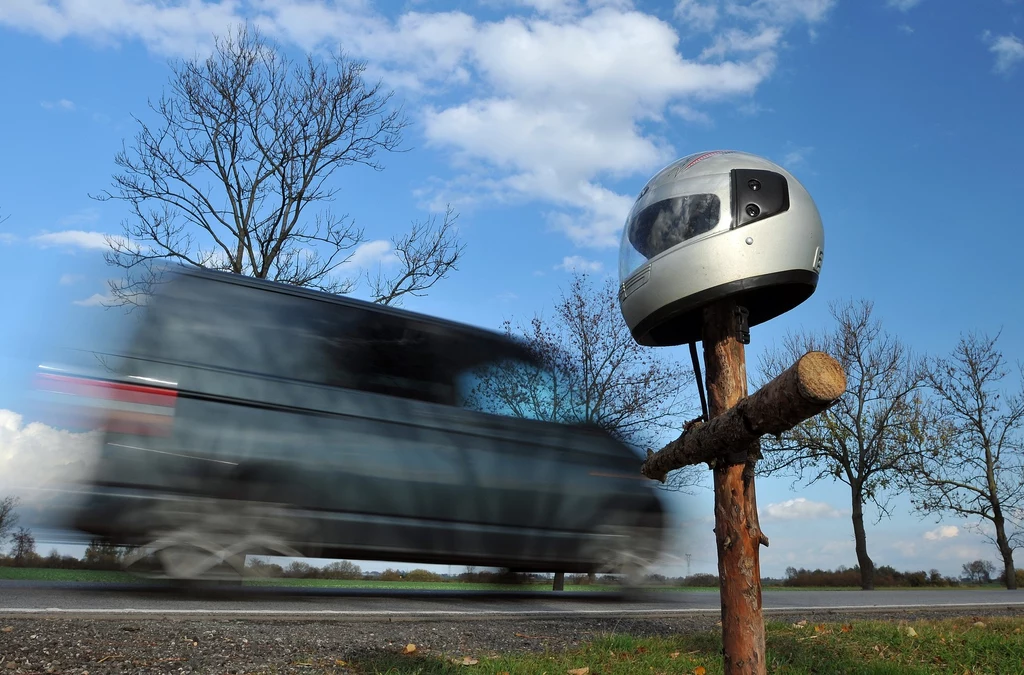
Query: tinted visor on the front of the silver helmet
pixel 671 215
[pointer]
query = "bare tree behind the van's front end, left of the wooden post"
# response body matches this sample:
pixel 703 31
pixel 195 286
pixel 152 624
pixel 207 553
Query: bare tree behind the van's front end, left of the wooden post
pixel 593 373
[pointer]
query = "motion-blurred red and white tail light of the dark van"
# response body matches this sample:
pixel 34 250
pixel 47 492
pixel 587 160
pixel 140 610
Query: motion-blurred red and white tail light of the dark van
pixel 110 406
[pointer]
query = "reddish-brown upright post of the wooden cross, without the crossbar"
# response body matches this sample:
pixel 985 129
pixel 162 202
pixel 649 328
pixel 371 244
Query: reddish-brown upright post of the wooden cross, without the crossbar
pixel 737 528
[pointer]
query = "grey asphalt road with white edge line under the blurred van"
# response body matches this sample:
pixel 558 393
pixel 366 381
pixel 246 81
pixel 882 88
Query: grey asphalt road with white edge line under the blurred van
pixel 118 601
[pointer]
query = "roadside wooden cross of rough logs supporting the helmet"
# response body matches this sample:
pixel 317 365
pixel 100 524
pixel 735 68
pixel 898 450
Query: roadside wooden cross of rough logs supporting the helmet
pixel 730 443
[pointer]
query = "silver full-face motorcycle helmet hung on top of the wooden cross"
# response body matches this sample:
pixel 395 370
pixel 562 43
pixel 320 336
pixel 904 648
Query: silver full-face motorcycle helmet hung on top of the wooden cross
pixel 709 227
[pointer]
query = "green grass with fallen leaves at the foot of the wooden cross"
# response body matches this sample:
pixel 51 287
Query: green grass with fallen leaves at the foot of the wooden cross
pixel 858 649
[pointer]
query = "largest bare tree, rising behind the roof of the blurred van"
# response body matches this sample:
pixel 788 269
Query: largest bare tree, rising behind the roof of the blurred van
pixel 244 152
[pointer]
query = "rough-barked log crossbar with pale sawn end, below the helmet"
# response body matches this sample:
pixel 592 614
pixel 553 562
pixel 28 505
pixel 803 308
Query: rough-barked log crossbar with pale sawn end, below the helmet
pixel 806 389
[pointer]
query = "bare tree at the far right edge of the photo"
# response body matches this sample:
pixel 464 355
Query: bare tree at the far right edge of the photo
pixel 973 467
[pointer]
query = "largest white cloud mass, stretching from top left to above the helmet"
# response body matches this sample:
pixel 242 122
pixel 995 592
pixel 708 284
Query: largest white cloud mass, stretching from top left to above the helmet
pixel 546 107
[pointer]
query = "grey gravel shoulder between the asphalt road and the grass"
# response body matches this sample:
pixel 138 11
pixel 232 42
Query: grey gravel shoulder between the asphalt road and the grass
pixel 183 646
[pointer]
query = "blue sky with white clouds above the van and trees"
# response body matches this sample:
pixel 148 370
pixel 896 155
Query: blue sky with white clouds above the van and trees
pixel 903 118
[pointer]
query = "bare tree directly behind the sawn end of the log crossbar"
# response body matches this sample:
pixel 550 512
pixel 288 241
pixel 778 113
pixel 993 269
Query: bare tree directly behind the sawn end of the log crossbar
pixel 867 440
